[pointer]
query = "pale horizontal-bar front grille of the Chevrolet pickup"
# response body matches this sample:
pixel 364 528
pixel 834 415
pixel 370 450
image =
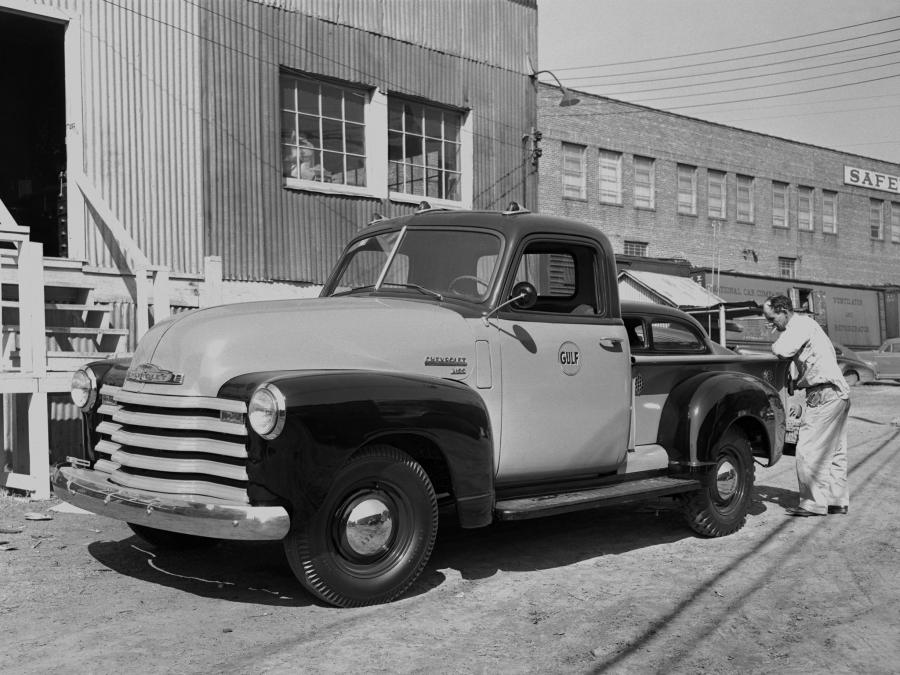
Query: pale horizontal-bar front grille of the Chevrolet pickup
pixel 193 446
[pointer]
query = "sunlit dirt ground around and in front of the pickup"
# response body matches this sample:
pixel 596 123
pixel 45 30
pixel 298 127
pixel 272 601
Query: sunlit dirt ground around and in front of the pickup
pixel 628 589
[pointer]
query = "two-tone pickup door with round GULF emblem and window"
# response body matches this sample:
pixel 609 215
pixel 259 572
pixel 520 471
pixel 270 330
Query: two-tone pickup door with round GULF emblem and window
pixel 565 366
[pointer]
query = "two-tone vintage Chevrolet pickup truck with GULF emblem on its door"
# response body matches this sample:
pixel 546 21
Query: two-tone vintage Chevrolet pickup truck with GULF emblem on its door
pixel 473 365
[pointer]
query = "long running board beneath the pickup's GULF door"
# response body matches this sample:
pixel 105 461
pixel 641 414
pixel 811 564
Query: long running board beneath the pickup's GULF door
pixel 565 502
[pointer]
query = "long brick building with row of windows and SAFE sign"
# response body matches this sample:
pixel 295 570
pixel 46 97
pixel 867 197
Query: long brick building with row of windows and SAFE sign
pixel 733 202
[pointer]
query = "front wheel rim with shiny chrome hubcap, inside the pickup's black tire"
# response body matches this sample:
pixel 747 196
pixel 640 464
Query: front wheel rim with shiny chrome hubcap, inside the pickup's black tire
pixel 365 527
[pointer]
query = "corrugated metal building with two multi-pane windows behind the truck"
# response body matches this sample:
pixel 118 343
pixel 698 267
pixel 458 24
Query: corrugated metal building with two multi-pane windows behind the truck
pixel 171 120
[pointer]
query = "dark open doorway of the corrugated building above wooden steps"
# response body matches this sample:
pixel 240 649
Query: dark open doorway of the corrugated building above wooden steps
pixel 33 127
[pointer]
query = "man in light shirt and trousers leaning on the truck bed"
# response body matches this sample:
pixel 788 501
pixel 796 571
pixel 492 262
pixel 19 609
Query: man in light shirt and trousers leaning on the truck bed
pixel 822 441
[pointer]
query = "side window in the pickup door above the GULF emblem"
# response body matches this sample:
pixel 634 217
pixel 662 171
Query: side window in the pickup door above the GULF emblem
pixel 564 275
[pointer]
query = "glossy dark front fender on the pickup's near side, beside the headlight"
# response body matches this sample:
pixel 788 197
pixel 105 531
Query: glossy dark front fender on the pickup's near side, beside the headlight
pixel 330 415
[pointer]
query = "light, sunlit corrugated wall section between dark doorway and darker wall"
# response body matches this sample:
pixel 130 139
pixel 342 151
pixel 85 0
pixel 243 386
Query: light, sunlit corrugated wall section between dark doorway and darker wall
pixel 141 137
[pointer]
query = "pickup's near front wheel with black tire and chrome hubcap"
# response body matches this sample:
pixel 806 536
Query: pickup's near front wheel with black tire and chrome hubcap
pixel 390 498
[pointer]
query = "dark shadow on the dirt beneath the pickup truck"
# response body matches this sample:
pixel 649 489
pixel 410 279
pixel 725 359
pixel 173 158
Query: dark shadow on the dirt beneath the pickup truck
pixel 257 572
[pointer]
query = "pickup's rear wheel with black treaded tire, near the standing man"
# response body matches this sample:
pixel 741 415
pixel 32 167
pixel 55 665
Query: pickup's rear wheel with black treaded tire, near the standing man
pixel 720 508
